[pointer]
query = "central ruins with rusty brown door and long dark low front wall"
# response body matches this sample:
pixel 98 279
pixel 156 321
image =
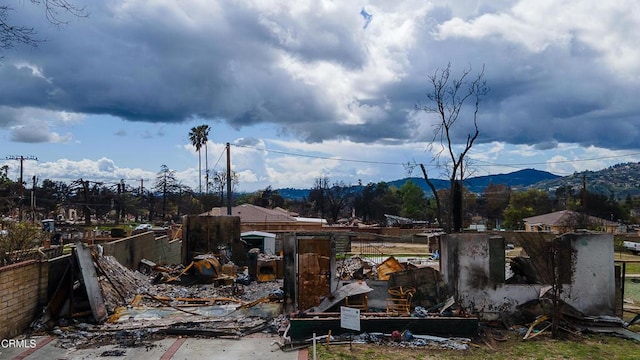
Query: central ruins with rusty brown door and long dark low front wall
pixel 391 295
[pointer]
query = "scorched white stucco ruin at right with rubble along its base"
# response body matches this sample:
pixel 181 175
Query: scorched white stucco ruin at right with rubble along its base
pixel 563 281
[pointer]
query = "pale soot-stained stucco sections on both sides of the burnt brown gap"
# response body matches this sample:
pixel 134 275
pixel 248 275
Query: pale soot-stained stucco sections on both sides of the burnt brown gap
pixel 466 266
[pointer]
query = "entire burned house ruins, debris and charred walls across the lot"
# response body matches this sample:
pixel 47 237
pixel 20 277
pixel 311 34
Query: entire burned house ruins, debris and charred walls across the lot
pixel 299 289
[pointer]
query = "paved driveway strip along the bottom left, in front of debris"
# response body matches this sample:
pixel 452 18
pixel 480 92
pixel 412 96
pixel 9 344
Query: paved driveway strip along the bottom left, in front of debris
pixel 252 347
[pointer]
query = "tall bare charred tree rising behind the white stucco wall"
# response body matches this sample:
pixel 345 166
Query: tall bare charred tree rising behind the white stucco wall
pixel 449 98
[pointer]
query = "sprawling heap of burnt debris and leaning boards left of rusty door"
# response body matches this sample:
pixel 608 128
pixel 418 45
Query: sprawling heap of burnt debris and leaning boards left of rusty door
pixel 137 307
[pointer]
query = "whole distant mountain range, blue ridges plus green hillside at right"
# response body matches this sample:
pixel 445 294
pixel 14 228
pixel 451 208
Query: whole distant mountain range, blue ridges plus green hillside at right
pixel 619 181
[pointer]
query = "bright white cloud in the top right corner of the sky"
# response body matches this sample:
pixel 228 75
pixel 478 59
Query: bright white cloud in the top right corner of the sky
pixel 606 27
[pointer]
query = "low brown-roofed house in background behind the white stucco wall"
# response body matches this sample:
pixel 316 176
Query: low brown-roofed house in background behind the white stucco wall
pixel 560 222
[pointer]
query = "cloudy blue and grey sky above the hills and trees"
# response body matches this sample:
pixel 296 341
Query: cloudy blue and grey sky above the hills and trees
pixel 310 88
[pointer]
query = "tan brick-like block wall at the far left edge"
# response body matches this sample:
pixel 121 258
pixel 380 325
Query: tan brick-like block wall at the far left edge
pixel 23 292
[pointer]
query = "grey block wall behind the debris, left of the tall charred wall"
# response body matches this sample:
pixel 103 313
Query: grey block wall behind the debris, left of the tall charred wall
pixel 129 251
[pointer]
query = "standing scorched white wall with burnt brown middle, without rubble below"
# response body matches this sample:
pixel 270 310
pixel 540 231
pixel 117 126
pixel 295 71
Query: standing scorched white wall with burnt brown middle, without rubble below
pixel 474 267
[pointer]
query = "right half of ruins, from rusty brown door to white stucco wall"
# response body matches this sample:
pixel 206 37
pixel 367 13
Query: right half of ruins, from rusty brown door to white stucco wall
pixel 559 281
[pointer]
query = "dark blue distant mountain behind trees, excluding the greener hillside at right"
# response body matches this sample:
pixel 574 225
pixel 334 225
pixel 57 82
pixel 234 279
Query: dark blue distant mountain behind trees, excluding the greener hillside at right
pixel 515 180
